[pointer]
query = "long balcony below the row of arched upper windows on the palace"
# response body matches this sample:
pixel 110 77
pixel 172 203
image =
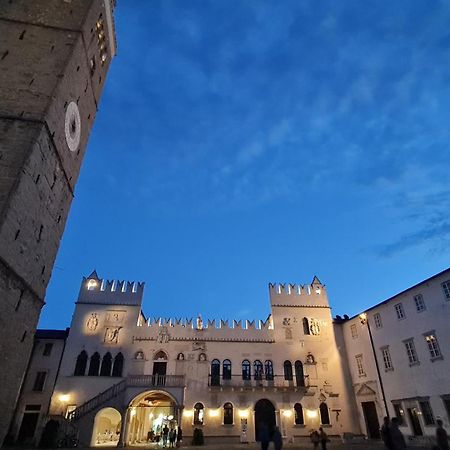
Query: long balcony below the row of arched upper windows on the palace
pixel 277 382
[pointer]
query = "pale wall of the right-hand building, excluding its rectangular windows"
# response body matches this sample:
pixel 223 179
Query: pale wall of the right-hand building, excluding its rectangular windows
pixel 405 384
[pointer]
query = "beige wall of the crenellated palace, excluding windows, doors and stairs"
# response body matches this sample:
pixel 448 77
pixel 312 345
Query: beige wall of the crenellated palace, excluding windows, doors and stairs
pixel 109 306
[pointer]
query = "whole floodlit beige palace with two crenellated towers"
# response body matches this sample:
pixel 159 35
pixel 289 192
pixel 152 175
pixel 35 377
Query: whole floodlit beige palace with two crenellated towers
pixel 226 378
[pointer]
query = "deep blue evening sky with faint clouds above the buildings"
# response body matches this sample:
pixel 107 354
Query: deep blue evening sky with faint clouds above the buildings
pixel 245 142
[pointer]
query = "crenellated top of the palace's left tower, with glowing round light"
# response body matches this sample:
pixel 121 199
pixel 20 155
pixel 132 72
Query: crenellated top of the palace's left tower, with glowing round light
pixel 109 292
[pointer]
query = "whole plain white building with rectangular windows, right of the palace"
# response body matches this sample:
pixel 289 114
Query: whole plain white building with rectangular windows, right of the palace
pixel 411 341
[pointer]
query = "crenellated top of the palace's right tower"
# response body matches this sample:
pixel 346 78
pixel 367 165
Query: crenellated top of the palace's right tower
pixel 288 294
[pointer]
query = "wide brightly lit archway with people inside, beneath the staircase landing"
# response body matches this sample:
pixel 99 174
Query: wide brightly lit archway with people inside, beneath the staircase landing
pixel 152 414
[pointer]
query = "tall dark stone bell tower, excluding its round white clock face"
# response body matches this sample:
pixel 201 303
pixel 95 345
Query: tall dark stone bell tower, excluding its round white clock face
pixel 54 58
